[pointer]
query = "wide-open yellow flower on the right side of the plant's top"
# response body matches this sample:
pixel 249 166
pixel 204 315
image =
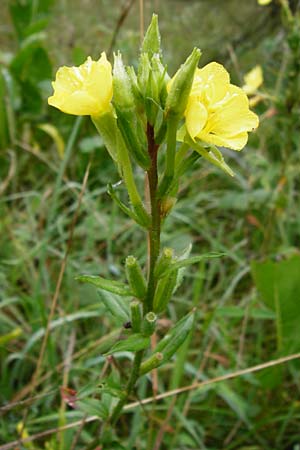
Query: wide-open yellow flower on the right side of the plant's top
pixel 217 111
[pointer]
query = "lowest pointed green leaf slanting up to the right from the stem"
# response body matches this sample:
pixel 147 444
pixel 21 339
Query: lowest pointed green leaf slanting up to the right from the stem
pixel 168 346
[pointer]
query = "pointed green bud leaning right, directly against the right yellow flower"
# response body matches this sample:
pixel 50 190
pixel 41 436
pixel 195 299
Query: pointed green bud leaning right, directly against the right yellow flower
pixel 181 85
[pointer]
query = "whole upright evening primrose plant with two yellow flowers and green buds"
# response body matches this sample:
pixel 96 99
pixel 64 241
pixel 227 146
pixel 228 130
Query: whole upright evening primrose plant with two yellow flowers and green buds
pixel 162 126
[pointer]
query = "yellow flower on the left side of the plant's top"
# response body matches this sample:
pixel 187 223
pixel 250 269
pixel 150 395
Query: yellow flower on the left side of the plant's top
pixel 85 90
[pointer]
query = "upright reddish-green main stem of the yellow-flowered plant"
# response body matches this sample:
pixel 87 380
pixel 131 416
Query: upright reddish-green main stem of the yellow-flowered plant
pixel 153 253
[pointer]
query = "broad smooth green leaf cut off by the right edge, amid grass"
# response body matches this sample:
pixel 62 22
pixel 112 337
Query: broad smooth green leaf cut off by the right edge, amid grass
pixel 278 283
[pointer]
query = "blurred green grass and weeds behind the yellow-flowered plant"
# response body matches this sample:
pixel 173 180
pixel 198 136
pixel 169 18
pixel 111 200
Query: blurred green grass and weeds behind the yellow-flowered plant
pixel 56 220
